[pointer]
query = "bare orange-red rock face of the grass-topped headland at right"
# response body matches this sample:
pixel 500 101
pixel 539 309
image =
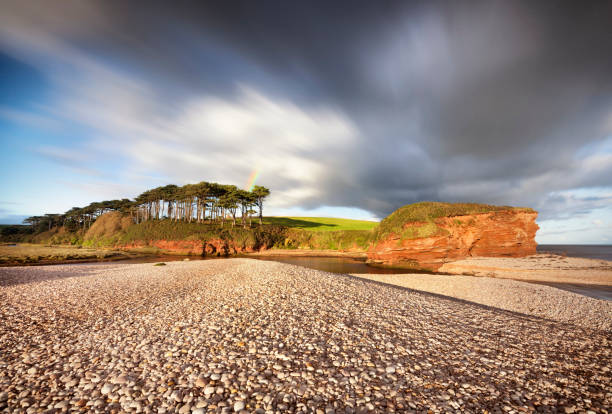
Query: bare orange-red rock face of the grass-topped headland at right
pixel 505 233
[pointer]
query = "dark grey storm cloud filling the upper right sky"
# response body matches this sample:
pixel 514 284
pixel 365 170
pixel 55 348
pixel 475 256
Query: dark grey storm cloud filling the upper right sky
pixel 480 101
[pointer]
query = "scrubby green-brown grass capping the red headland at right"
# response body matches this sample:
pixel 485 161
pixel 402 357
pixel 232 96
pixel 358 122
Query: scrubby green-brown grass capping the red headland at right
pixel 427 212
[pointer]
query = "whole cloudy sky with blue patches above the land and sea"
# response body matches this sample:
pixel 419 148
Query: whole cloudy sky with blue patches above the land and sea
pixel 344 109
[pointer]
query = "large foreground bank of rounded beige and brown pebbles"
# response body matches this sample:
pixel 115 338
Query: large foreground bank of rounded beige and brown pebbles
pixel 241 335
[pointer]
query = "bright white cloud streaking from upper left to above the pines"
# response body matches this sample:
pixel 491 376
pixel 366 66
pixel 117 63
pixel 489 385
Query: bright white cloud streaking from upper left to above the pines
pixel 205 138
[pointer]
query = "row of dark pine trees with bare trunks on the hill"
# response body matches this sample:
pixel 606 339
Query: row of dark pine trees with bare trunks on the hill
pixel 202 202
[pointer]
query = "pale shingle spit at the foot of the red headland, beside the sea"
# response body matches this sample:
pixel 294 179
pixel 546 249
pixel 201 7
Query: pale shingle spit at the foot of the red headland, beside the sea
pixel 537 268
